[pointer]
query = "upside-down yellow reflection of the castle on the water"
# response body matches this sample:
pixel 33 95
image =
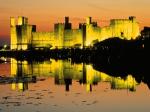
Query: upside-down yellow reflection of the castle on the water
pixel 64 72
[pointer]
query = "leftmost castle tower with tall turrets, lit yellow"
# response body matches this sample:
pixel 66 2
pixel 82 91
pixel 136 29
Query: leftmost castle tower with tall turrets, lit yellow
pixel 21 33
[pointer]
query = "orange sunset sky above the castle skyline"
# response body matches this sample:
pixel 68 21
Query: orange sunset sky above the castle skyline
pixel 44 13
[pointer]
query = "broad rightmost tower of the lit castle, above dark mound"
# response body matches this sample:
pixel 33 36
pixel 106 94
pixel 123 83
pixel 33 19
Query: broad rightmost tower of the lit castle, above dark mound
pixel 125 28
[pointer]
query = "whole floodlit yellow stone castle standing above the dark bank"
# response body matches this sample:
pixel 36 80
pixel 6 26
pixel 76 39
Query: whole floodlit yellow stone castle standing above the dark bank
pixel 25 36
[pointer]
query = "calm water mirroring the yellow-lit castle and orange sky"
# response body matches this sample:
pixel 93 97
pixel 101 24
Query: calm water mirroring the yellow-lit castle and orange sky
pixel 63 86
